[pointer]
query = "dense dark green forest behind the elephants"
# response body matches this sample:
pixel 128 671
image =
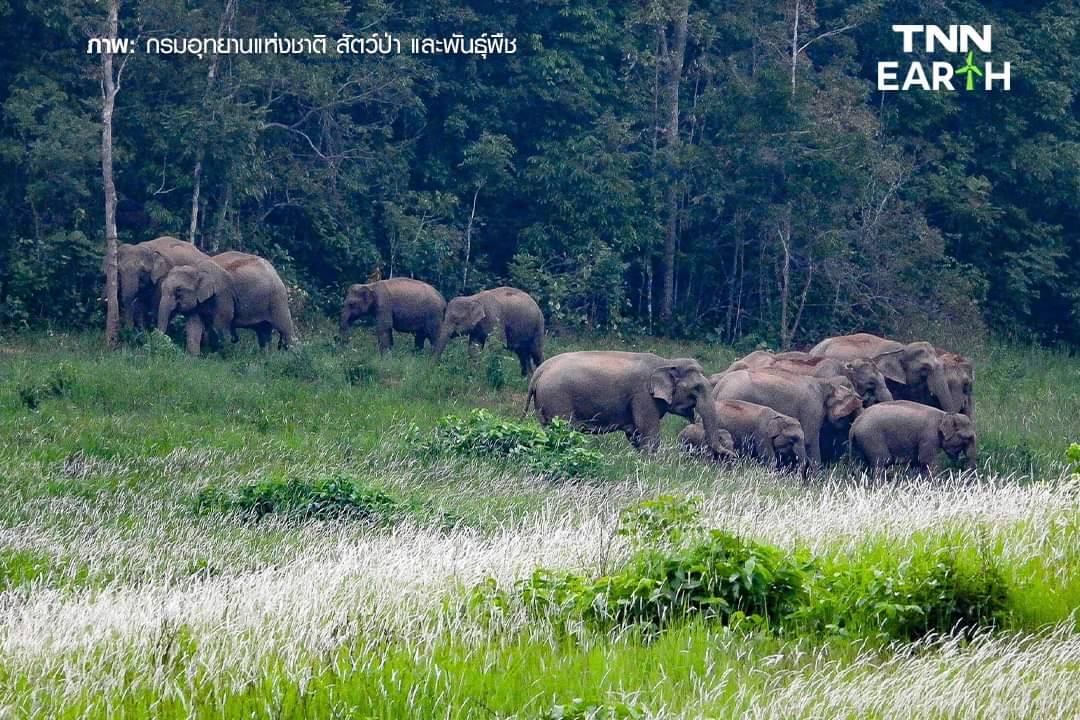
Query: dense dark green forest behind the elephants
pixel 724 170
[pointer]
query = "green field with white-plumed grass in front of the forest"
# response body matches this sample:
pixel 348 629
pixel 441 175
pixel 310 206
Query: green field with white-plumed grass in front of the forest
pixel 130 589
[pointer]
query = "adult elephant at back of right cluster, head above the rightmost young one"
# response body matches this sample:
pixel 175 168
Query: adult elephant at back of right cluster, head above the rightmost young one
pixel 913 371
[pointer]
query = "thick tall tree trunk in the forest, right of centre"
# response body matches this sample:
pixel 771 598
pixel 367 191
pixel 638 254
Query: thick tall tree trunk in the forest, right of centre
pixel 673 59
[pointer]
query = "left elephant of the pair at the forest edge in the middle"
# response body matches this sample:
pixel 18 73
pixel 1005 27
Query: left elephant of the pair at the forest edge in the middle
pixel 399 305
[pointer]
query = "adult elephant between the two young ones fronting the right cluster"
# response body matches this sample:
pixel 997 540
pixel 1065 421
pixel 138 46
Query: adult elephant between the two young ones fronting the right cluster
pixel 823 406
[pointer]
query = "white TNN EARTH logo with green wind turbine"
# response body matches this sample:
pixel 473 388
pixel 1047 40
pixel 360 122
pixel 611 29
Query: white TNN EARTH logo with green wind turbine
pixel 964 39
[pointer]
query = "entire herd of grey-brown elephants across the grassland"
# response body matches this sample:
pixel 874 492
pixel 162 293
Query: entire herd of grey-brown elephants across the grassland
pixel 880 400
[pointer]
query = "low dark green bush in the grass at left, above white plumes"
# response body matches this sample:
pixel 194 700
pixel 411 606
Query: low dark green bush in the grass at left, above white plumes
pixel 339 497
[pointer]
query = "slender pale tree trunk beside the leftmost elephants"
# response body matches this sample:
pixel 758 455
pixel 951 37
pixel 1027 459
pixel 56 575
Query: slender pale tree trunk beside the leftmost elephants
pixel 110 89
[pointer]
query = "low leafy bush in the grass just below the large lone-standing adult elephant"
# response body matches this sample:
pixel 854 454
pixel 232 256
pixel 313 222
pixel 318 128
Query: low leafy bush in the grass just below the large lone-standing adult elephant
pixel 556 452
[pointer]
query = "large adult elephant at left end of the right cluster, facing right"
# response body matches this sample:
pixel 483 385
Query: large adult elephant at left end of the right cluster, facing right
pixel 610 391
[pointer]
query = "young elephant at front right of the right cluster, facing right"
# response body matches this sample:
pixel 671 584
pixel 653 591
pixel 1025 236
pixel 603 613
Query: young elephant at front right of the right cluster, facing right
pixel 911 433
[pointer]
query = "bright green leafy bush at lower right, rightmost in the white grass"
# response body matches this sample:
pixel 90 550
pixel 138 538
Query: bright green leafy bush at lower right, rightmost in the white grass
pixel 906 600
